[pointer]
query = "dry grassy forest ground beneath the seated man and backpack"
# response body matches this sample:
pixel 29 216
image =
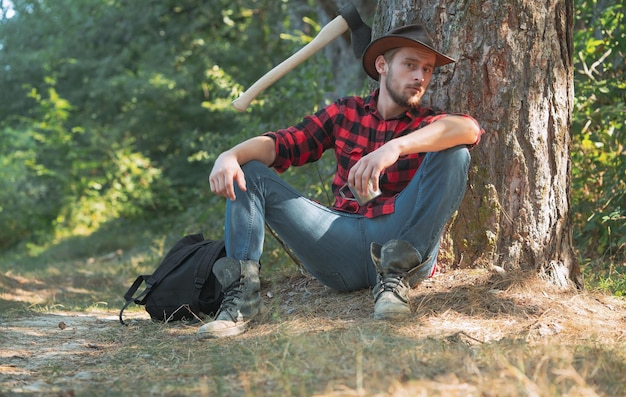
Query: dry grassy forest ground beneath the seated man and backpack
pixel 474 333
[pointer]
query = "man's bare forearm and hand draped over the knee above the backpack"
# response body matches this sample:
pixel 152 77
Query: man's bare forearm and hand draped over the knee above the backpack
pixel 227 167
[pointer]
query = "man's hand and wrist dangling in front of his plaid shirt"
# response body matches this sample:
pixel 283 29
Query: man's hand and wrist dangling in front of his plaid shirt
pixel 368 169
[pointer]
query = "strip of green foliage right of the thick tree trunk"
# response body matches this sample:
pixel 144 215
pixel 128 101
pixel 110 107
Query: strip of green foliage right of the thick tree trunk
pixel 599 152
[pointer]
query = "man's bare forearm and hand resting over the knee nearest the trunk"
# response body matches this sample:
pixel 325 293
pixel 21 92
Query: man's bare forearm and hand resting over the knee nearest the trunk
pixel 442 134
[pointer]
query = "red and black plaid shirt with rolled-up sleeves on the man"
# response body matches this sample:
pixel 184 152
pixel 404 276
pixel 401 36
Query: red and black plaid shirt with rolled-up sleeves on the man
pixel 353 127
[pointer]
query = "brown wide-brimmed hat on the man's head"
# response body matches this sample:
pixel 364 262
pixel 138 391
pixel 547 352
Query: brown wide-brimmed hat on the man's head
pixel 403 36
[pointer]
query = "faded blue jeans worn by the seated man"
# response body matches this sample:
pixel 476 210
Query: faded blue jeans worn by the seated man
pixel 334 246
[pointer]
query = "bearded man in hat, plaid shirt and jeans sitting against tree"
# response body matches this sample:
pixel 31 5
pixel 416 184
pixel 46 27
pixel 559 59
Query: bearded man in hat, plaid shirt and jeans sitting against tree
pixel 417 157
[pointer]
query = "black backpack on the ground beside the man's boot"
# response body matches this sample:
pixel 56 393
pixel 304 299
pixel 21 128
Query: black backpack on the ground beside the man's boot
pixel 183 285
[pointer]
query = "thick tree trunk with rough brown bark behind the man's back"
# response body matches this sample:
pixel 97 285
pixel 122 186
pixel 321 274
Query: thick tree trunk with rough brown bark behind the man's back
pixel 514 74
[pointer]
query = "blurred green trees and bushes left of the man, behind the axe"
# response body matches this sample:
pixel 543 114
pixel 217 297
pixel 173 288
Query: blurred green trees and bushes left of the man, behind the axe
pixel 116 109
